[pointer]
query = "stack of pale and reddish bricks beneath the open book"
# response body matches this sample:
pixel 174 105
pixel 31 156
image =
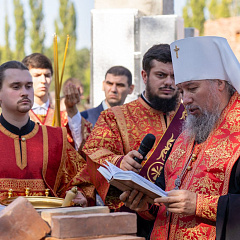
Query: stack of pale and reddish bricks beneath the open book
pixel 92 223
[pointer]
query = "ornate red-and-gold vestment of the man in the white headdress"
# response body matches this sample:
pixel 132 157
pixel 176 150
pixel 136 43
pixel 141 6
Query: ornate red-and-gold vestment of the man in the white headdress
pixel 209 177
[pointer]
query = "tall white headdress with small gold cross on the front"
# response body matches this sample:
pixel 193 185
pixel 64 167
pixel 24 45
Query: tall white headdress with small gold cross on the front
pixel 200 58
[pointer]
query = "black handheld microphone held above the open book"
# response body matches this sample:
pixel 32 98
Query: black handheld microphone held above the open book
pixel 145 146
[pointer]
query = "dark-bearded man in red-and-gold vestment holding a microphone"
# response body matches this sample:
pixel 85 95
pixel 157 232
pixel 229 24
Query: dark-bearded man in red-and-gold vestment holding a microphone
pixel 119 130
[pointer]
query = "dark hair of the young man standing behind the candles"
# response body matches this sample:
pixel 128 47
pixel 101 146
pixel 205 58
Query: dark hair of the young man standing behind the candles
pixel 37 60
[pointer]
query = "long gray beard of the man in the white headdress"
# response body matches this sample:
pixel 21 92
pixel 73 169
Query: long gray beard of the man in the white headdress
pixel 199 127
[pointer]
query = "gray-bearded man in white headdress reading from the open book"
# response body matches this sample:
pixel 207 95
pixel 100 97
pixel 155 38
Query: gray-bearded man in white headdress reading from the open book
pixel 204 161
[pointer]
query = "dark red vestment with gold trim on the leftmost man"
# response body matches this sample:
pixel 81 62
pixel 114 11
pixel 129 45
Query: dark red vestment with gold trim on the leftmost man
pixel 46 160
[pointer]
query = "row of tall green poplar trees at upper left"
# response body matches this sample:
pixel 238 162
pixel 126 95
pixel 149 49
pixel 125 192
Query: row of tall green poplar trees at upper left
pixel 77 61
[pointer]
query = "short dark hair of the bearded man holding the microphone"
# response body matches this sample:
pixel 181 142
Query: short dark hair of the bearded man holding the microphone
pixel 160 52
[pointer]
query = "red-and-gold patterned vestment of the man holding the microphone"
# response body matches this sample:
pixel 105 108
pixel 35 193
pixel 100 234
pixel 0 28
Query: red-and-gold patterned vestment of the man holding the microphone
pixel 118 131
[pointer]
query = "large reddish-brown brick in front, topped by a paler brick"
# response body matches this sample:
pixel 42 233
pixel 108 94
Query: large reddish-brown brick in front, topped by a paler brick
pixel 87 225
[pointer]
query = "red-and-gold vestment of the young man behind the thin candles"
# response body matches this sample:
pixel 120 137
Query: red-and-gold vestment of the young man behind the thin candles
pixel 86 126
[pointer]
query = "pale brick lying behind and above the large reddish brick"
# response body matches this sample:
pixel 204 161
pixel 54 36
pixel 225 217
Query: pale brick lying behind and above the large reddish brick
pixel 47 214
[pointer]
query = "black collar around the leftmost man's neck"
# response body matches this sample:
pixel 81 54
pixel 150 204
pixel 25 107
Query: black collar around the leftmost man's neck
pixel 26 129
